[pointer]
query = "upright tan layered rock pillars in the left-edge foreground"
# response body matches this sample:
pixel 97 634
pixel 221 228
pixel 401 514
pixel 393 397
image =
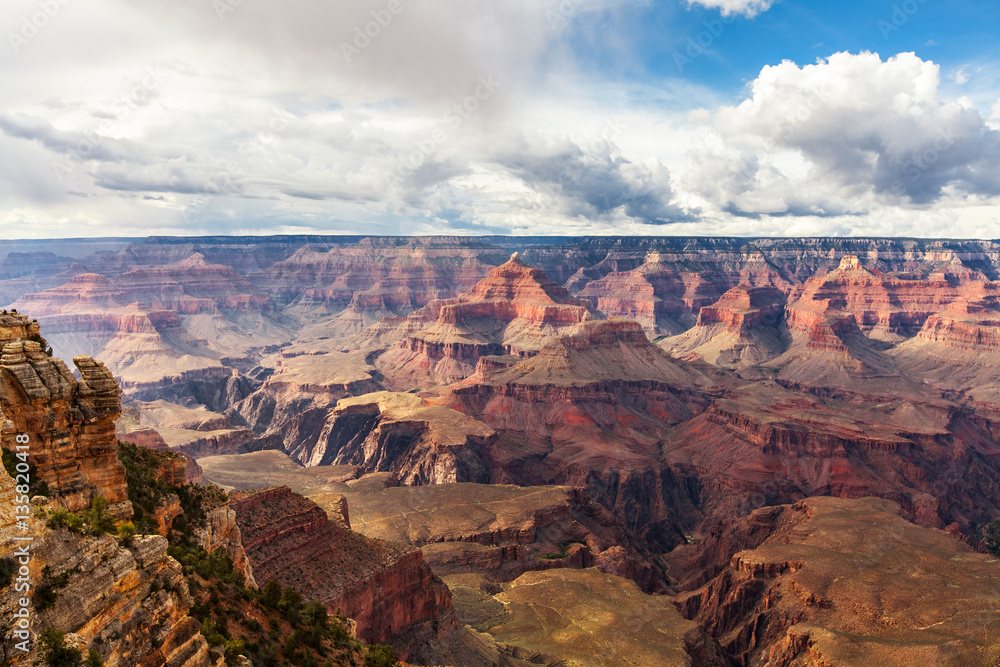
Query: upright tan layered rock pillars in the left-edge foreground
pixel 70 423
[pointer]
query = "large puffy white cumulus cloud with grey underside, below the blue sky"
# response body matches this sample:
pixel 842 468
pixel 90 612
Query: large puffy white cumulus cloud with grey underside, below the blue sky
pixel 841 136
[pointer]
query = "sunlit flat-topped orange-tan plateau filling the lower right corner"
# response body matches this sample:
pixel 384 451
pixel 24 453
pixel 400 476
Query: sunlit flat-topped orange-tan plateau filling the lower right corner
pixel 845 581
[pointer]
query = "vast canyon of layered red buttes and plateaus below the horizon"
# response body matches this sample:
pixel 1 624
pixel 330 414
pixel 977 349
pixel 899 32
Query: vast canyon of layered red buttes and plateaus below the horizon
pixel 474 432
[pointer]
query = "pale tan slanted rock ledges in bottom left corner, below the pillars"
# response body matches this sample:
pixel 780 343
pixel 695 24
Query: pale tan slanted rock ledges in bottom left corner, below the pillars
pixel 129 604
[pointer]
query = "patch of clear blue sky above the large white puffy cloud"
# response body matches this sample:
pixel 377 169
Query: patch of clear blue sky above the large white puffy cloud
pixel 957 34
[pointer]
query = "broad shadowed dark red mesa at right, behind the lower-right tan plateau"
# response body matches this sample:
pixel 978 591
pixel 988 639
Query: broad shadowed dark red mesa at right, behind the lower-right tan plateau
pixel 764 443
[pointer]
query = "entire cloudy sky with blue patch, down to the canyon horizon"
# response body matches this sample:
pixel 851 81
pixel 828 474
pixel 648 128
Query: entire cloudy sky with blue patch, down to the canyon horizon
pixel 524 117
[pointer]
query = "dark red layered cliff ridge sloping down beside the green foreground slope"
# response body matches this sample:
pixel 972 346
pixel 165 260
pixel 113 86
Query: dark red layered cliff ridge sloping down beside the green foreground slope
pixel 387 589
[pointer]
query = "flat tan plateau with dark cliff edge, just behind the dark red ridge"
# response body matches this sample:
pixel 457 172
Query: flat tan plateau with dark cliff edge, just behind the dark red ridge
pixel 500 531
